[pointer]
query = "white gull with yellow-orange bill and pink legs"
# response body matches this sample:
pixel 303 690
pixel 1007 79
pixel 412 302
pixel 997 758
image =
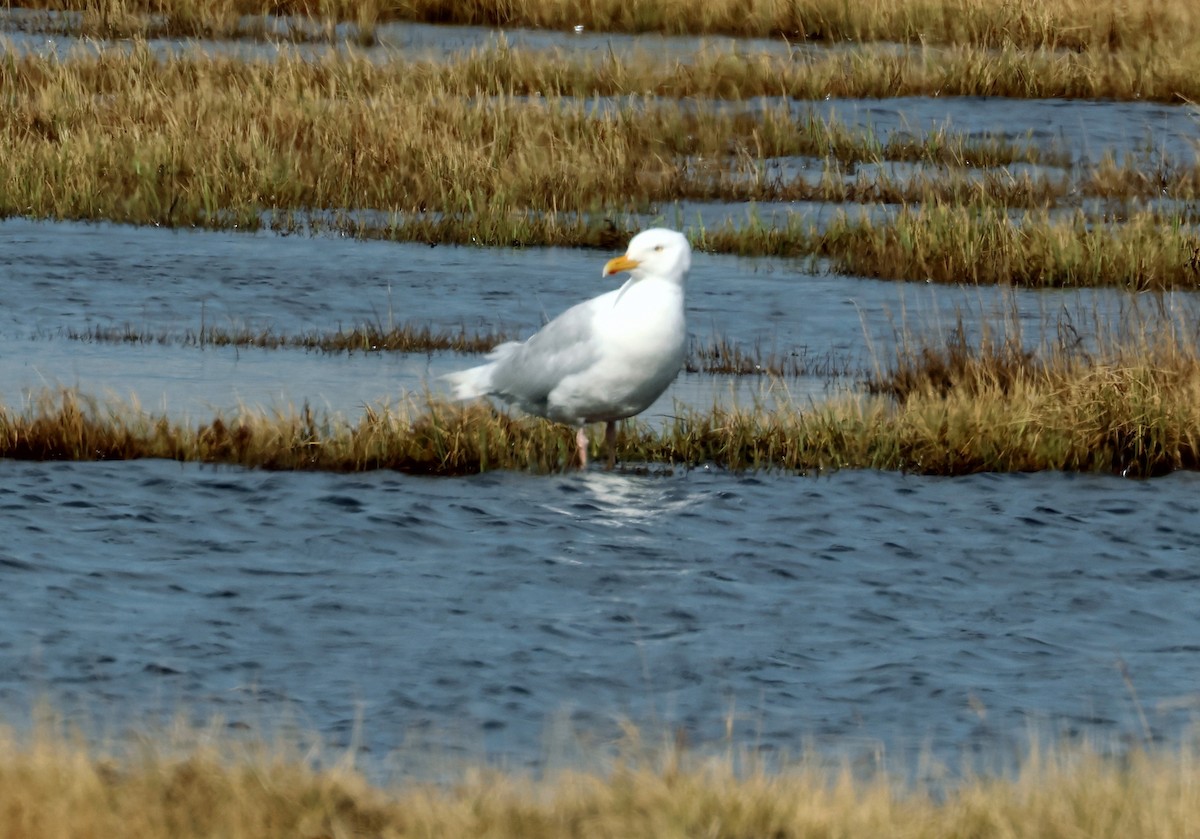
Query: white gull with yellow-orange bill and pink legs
pixel 602 361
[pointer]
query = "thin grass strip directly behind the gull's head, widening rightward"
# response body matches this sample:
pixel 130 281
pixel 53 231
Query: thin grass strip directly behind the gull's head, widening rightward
pixel 939 243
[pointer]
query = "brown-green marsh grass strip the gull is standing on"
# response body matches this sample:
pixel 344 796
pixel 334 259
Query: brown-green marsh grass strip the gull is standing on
pixel 1125 401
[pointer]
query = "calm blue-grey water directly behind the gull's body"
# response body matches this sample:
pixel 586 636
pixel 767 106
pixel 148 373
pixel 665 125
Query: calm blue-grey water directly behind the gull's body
pixel 70 278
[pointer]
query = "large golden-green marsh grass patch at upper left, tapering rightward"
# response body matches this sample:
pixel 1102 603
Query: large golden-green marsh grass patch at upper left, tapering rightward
pixel 217 141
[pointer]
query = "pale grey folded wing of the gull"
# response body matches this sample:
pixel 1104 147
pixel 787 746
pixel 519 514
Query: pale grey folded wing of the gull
pixel 529 373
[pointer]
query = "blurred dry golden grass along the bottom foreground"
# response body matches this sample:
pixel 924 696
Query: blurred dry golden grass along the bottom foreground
pixel 57 787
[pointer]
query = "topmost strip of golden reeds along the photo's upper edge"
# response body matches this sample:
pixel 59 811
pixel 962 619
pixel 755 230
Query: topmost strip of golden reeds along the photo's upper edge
pixel 1059 25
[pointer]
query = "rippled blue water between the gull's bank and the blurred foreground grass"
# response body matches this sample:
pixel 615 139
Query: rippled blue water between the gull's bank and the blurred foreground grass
pixel 861 614
